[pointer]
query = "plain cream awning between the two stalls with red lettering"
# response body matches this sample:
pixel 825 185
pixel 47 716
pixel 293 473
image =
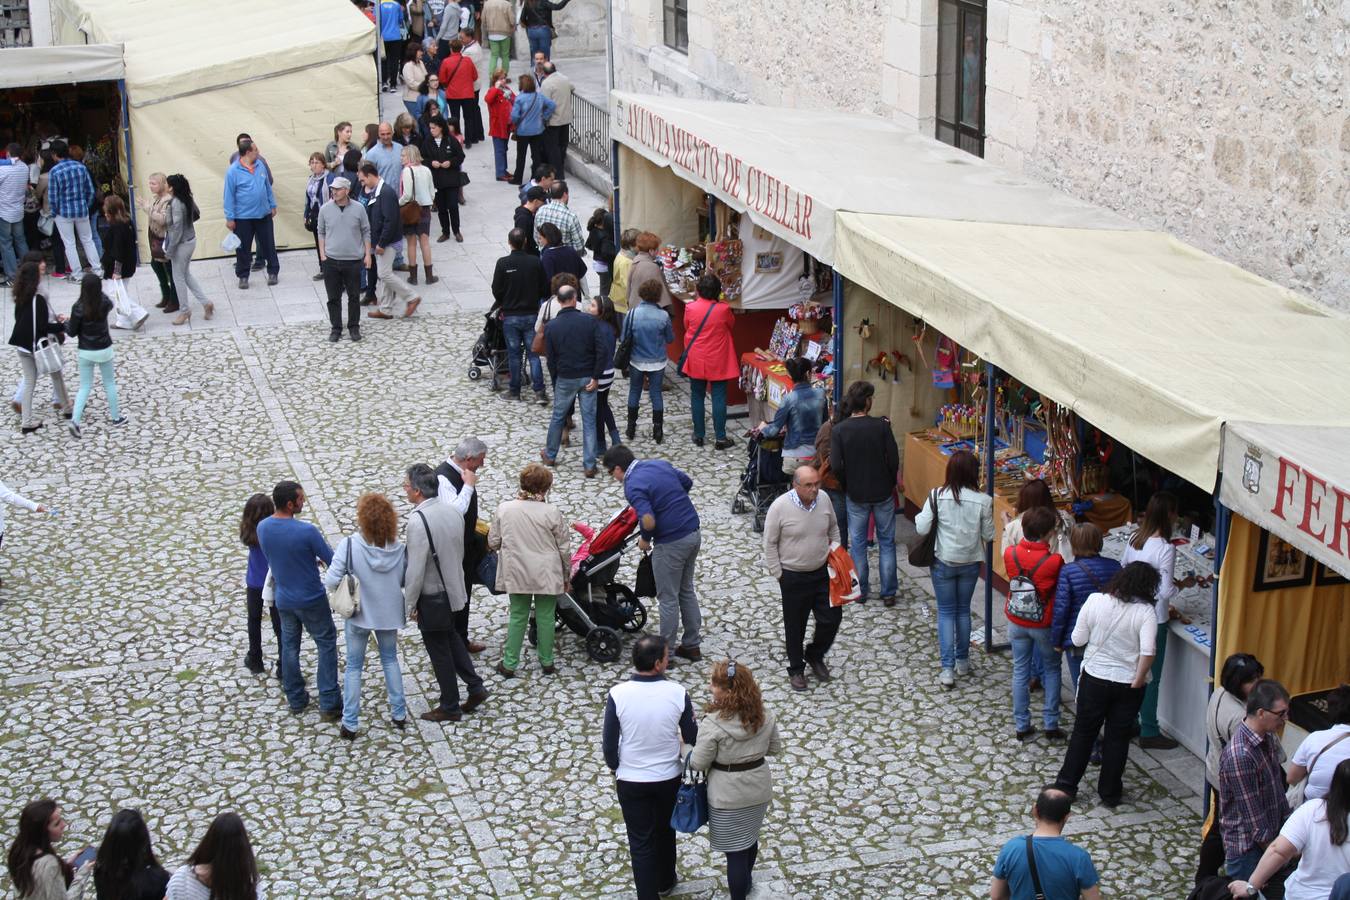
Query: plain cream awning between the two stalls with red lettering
pixel 1147 338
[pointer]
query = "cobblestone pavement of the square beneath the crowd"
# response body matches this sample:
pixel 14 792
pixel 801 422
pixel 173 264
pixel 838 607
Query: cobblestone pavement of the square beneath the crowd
pixel 122 643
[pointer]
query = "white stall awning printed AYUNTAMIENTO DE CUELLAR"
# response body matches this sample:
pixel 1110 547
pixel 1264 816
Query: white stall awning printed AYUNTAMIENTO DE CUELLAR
pixel 793 169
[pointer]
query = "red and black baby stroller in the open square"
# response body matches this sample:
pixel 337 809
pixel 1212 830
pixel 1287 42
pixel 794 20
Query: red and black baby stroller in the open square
pixel 599 608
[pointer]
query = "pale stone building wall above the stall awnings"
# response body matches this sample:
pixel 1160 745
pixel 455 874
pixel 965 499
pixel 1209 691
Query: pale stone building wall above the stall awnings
pixel 1221 122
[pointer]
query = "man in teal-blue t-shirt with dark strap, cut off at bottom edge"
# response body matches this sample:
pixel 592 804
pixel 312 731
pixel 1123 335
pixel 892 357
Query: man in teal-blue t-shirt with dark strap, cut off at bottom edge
pixel 1066 871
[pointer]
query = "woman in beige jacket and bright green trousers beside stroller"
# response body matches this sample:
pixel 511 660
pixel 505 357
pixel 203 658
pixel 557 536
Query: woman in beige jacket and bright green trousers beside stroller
pixel 534 565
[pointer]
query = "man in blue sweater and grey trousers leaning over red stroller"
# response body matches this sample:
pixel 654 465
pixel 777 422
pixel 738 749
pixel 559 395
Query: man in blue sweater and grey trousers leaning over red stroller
pixel 666 517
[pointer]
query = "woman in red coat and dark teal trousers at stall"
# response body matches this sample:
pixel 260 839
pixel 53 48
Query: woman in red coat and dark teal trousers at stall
pixel 709 357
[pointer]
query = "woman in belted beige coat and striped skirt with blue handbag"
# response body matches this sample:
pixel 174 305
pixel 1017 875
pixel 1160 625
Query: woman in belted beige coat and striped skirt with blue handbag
pixel 732 746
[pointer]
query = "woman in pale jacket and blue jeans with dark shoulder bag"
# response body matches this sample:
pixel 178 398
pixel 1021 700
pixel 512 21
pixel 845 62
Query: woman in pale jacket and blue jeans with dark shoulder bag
pixel 965 526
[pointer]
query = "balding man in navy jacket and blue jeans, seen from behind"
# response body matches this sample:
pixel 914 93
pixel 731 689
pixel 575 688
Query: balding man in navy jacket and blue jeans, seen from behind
pixel 576 353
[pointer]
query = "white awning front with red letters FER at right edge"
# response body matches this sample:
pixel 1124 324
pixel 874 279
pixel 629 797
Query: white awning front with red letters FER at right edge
pixel 1294 482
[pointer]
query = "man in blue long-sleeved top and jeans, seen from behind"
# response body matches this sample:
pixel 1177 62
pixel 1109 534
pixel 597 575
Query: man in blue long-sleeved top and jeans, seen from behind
pixel 294 553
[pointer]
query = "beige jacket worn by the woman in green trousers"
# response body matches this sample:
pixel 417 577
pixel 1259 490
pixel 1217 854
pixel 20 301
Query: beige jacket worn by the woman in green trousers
pixel 534 555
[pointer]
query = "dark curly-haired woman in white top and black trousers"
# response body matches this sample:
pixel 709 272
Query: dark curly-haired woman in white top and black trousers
pixel 1120 635
